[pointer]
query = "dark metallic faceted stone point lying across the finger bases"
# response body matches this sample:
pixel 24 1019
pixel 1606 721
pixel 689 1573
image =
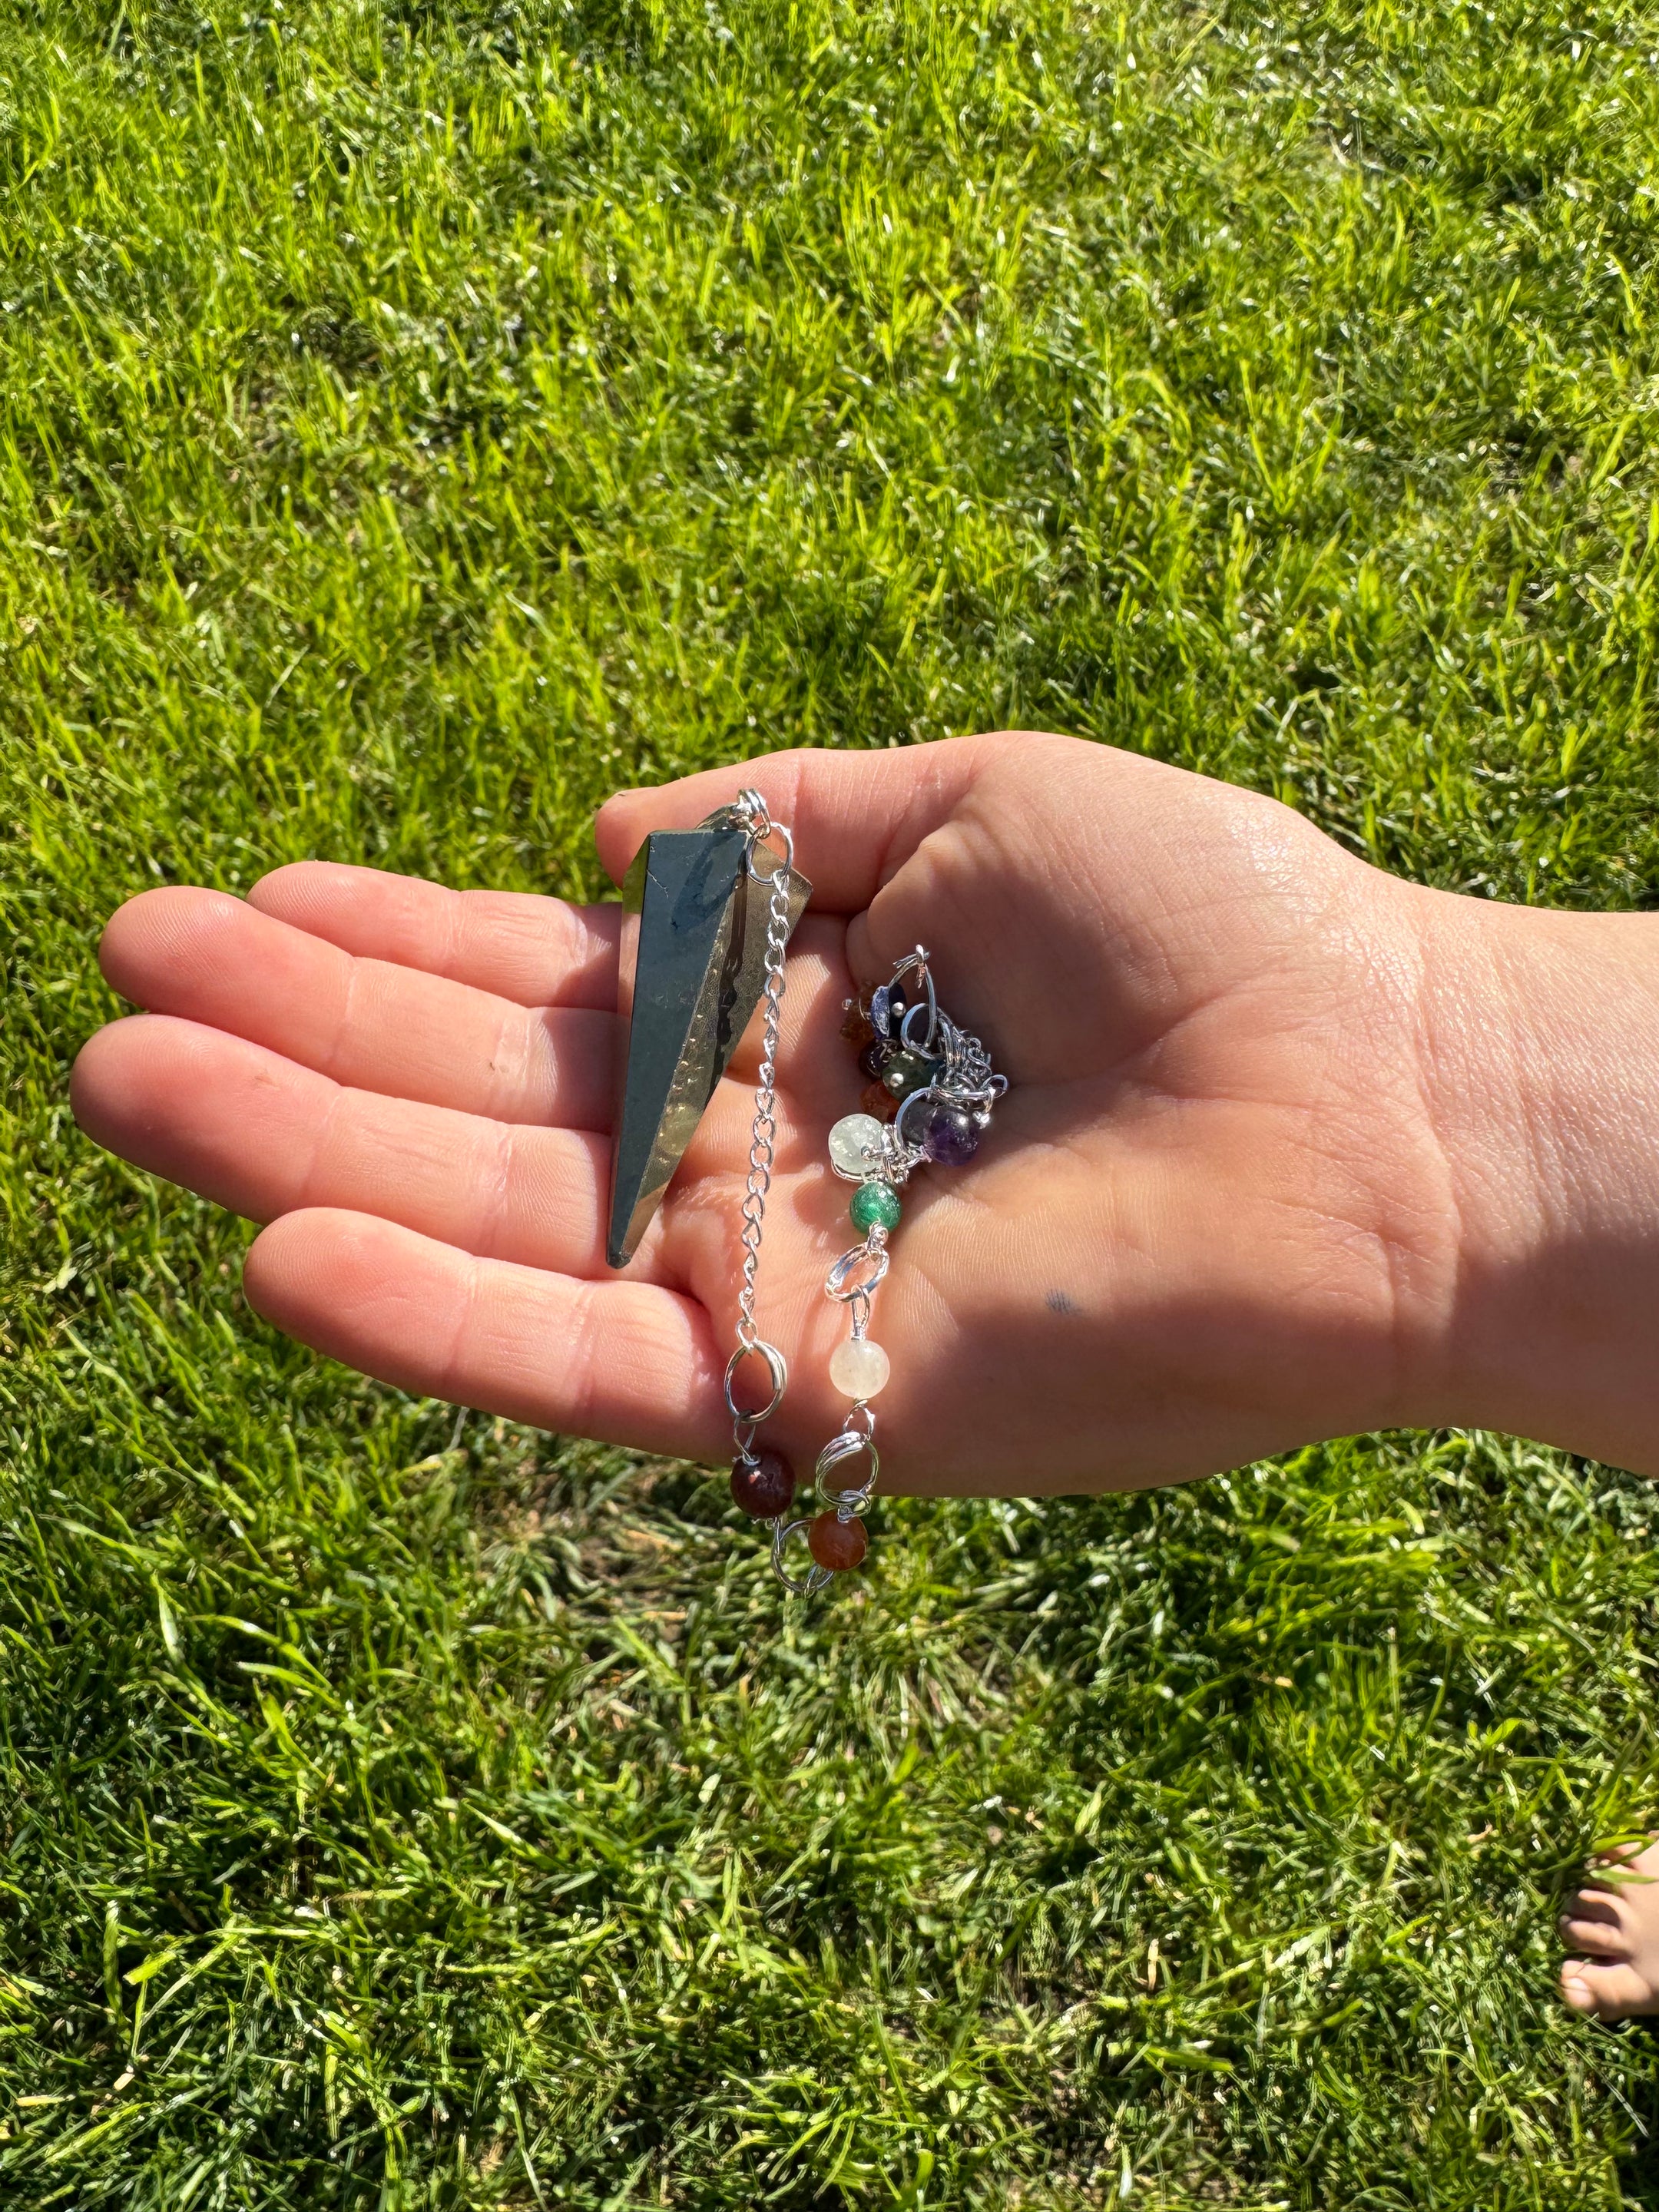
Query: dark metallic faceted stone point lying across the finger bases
pixel 689 981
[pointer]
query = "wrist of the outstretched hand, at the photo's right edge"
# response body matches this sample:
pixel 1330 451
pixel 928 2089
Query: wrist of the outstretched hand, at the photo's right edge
pixel 1541 1052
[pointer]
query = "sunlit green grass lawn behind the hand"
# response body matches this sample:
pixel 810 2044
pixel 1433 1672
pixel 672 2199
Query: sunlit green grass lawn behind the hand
pixel 417 419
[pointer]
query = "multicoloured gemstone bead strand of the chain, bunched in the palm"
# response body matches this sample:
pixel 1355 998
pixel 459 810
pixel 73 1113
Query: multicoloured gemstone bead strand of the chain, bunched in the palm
pixel 930 1098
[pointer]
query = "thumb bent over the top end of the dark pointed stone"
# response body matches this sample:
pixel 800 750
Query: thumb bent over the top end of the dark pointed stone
pixel 855 817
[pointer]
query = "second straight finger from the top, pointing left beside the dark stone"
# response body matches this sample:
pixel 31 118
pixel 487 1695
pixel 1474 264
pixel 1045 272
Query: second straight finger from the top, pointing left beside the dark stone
pixel 366 1023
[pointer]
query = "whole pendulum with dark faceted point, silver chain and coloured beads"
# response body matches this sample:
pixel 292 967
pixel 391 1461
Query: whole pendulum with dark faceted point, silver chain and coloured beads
pixel 707 924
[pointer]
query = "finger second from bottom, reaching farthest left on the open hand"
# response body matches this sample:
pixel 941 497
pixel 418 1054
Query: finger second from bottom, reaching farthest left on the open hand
pixel 267 1138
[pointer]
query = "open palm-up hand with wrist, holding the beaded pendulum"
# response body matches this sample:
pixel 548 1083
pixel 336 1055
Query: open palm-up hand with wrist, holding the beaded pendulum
pixel 1264 1171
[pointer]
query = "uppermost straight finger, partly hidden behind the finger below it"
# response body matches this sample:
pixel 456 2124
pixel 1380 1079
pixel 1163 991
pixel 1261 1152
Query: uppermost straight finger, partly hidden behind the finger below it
pixel 539 952
